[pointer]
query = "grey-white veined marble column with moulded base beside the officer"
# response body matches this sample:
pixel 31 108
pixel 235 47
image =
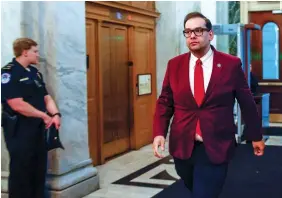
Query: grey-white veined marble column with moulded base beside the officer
pixel 59 28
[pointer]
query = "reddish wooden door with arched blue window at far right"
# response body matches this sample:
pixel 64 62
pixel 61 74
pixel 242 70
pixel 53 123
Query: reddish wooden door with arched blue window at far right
pixel 267 58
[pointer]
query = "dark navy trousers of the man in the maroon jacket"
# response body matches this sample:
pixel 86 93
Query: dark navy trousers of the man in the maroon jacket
pixel 203 178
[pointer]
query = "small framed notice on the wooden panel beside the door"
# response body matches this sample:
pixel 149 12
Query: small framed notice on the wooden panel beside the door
pixel 144 84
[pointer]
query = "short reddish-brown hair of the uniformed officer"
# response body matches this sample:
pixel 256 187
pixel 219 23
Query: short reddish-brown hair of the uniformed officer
pixel 21 44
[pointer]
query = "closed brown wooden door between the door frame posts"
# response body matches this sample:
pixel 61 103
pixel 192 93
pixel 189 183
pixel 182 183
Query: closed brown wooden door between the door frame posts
pixel 114 72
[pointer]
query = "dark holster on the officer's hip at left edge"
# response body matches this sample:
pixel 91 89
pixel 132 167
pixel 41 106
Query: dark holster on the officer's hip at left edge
pixel 9 123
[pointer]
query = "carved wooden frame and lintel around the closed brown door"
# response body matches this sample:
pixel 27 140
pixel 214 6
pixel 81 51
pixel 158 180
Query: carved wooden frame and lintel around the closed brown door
pixel 103 12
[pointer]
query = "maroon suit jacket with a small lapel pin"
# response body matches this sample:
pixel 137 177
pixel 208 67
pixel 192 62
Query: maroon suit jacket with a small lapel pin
pixel 215 113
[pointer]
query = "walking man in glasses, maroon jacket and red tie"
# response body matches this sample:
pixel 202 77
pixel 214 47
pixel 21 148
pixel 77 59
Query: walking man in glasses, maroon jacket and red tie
pixel 199 90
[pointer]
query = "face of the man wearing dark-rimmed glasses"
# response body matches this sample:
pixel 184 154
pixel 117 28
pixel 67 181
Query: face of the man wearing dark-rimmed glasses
pixel 200 42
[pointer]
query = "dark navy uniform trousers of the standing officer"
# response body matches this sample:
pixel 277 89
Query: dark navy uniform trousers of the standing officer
pixel 28 162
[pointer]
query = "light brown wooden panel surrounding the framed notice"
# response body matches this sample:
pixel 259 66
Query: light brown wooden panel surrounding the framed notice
pixel 143 50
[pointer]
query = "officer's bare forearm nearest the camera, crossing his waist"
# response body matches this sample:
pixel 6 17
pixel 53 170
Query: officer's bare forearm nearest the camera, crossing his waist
pixel 24 108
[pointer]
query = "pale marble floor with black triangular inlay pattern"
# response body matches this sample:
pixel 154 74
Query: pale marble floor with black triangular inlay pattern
pixel 138 174
